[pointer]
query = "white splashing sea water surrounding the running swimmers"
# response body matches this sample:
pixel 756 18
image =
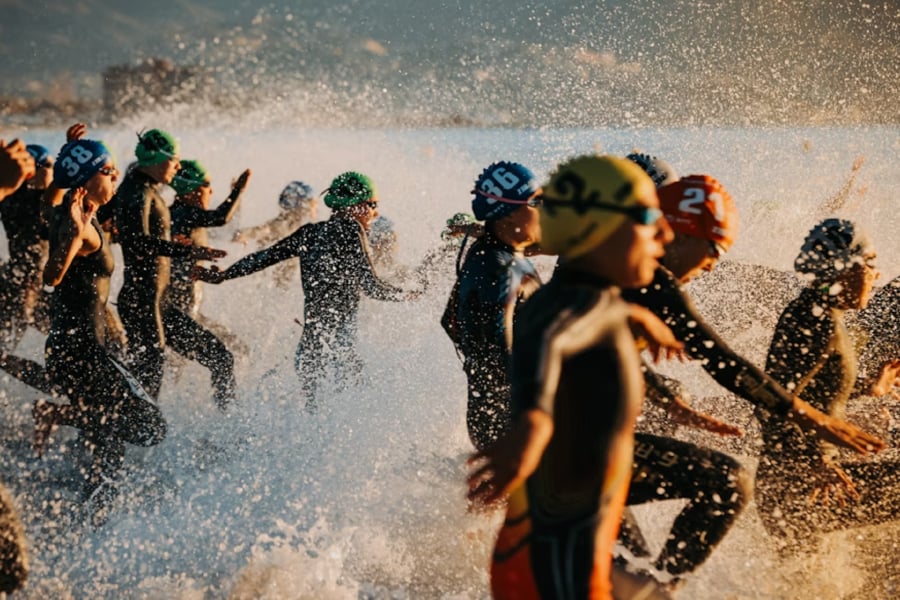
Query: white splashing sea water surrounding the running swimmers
pixel 365 498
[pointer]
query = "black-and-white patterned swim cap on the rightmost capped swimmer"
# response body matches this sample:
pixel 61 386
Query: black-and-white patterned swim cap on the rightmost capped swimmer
pixel 830 247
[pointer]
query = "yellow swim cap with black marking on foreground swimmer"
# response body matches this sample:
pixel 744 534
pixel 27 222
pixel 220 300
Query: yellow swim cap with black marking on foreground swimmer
pixel 573 221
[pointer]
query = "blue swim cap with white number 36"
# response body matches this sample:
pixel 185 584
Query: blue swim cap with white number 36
pixel 502 188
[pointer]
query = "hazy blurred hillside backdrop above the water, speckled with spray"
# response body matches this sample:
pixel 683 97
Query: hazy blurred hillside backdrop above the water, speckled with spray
pixel 526 62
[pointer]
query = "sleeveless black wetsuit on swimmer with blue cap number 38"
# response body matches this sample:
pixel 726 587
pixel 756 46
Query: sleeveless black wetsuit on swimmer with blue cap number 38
pixel 105 400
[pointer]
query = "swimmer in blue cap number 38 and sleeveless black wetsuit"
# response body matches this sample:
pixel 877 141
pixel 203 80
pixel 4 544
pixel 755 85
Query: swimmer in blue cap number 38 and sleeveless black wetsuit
pixel 106 402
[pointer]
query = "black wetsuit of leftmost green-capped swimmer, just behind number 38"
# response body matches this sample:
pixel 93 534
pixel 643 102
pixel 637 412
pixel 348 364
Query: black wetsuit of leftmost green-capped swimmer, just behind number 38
pixel 143 223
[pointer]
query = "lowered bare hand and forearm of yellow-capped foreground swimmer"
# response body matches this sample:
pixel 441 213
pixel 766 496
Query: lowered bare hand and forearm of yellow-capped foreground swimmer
pixel 505 465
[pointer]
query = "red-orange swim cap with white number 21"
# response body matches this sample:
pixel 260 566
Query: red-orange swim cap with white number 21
pixel 699 206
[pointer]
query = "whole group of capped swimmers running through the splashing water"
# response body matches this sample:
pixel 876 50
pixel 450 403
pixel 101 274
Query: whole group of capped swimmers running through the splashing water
pixel 555 373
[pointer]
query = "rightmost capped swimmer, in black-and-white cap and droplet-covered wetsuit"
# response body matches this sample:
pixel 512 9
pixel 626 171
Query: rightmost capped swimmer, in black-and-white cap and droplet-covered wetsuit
pixel 803 488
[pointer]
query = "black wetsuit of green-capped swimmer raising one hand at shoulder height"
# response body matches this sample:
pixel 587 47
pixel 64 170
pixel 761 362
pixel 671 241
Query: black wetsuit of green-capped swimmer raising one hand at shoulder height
pixel 181 303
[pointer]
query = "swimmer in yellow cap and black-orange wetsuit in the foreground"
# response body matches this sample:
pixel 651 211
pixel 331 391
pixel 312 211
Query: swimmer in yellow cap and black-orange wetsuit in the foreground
pixel 577 387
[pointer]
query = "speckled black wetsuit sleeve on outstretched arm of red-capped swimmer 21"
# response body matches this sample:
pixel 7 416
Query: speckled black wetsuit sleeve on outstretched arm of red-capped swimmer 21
pixel 730 370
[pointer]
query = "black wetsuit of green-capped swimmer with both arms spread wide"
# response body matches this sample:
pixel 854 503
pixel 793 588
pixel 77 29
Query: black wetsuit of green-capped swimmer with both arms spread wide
pixel 335 269
